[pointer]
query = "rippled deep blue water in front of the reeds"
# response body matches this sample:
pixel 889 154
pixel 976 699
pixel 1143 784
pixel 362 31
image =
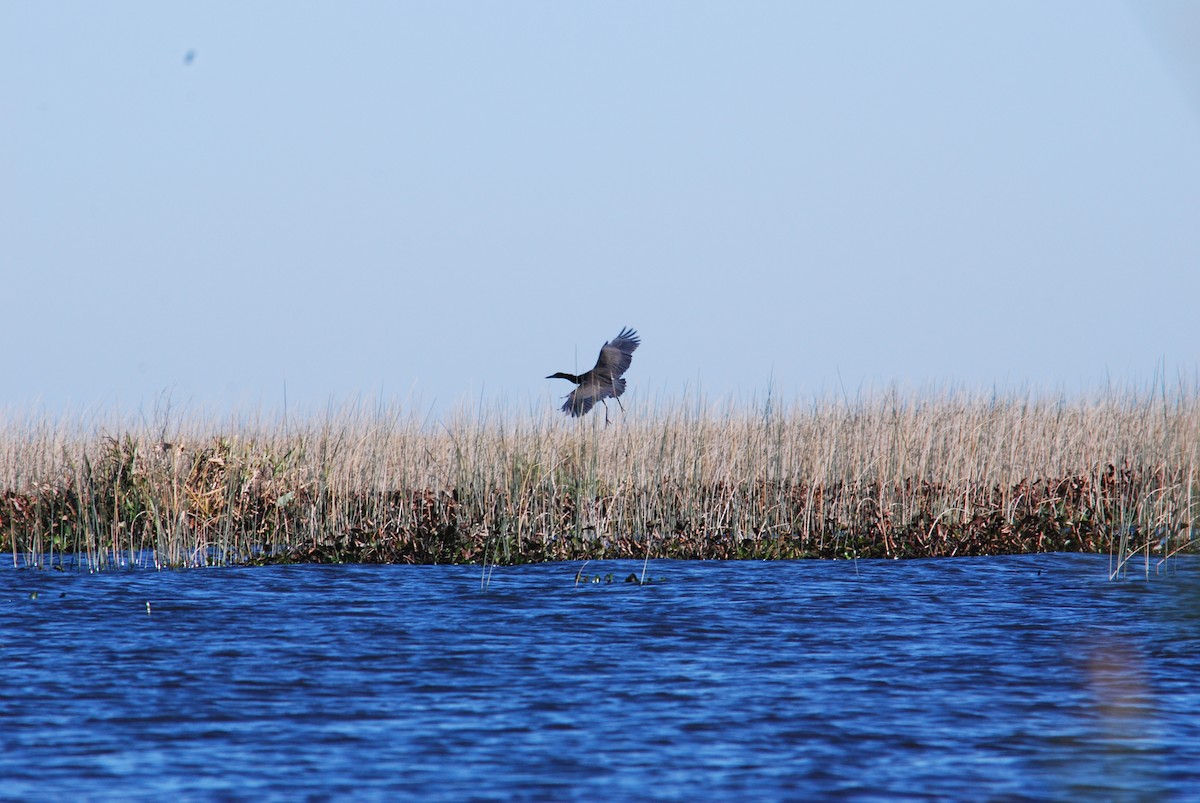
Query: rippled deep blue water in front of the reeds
pixel 975 679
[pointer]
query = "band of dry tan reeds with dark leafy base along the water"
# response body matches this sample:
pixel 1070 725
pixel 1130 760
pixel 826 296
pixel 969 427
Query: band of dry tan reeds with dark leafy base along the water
pixel 891 476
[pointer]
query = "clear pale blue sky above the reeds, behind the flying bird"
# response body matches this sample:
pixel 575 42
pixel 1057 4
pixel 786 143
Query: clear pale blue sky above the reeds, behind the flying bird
pixel 446 202
